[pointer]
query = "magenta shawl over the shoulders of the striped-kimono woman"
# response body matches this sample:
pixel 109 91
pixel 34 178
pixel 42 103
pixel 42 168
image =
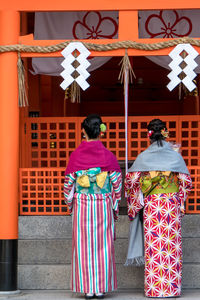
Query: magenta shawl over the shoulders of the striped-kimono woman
pixel 91 155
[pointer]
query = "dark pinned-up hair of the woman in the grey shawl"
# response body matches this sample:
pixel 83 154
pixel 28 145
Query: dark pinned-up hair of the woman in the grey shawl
pixel 156 125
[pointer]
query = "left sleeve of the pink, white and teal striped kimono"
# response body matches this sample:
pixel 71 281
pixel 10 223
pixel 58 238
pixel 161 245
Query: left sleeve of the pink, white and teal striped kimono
pixel 69 184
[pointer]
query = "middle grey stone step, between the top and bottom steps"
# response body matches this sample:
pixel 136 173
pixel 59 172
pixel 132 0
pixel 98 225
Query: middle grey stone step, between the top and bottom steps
pixel 59 251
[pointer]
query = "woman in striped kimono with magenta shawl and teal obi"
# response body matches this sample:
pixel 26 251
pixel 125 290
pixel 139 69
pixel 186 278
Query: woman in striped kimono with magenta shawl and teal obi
pixel 92 190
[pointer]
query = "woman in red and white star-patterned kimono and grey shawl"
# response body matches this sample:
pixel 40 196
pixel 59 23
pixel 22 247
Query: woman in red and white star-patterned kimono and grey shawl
pixel 161 176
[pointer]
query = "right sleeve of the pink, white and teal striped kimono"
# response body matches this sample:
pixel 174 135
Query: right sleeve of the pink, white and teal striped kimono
pixel 116 182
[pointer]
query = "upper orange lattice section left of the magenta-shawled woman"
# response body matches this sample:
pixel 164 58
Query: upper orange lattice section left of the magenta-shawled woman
pixel 50 141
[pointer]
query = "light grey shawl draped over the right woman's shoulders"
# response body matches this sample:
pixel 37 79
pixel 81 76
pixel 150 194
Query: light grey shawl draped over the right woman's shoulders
pixel 157 158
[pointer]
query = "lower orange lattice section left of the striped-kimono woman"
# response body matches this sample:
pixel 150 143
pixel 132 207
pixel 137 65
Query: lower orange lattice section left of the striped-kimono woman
pixel 41 192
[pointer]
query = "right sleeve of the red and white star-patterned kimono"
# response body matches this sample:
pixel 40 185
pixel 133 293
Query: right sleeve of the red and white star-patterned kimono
pixel 185 186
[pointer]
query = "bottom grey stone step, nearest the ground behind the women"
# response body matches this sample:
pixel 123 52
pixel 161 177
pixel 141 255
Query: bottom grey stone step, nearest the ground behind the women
pixel 58 276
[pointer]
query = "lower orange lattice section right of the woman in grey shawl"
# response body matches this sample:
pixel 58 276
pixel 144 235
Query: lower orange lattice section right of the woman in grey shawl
pixel 193 201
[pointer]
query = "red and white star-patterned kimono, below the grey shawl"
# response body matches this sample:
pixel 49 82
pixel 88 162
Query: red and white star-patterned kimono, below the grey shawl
pixel 162 233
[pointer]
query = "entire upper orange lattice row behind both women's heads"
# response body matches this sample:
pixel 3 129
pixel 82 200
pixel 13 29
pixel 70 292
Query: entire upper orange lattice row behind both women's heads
pixel 48 142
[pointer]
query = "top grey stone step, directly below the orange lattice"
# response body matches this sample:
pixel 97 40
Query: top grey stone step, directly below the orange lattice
pixel 60 227
